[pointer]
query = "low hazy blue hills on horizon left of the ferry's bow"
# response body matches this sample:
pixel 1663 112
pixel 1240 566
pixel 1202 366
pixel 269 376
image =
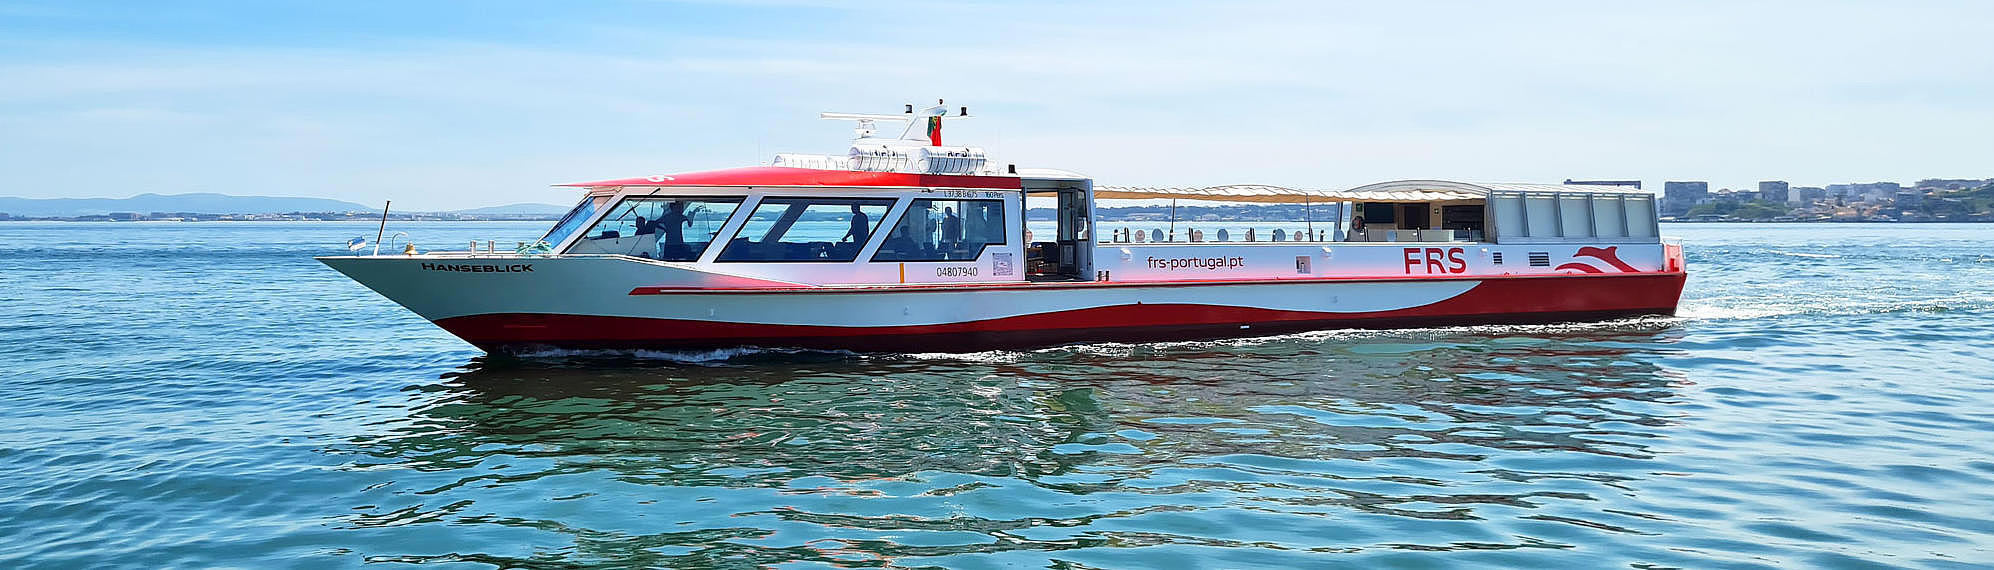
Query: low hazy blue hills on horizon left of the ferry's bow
pixel 172 202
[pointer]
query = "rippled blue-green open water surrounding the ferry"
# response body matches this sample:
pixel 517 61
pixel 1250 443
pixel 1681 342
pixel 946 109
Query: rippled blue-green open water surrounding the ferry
pixel 190 396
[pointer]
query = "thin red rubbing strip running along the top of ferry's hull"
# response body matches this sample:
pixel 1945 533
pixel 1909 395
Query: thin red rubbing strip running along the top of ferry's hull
pixel 1036 286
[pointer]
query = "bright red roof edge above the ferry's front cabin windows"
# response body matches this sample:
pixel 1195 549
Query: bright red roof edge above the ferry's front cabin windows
pixel 805 176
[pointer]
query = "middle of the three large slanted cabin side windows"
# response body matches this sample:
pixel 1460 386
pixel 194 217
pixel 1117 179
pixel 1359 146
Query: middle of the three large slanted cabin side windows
pixel 807 230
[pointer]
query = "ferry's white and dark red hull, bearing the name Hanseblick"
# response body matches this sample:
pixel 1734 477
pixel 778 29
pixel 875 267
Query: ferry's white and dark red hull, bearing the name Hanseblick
pixel 591 304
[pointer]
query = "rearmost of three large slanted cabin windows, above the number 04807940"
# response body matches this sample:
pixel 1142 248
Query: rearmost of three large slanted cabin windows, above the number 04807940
pixel 944 230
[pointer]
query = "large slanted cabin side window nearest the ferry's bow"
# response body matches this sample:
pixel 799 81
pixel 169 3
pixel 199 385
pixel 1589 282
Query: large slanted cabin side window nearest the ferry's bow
pixel 667 228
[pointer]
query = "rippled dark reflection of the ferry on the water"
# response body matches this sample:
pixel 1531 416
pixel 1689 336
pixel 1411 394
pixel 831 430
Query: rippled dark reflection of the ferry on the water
pixel 848 459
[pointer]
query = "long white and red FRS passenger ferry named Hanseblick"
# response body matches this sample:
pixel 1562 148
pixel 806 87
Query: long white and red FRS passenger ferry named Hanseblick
pixel 904 244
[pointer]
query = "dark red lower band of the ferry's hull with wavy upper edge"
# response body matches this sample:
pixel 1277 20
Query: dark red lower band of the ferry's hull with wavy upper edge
pixel 1493 302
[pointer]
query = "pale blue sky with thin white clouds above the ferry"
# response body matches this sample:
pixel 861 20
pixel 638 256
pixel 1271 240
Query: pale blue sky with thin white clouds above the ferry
pixel 462 105
